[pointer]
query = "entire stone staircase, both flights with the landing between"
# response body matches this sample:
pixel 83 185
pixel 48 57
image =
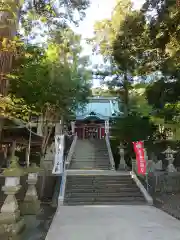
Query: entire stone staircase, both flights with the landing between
pixel 87 185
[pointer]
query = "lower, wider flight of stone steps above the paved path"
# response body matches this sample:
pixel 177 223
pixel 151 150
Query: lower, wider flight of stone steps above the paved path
pixel 102 190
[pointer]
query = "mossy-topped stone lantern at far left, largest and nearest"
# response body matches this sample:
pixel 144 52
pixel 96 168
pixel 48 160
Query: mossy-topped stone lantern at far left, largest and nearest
pixel 10 220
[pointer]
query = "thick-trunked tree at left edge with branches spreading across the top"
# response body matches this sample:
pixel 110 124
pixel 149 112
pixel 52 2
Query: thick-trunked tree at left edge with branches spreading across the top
pixel 13 11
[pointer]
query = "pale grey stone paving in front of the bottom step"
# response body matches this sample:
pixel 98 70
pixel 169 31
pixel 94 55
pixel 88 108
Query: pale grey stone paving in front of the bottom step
pixel 113 223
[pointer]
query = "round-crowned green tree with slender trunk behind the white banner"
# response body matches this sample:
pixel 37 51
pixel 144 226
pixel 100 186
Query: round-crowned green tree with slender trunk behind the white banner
pixel 52 81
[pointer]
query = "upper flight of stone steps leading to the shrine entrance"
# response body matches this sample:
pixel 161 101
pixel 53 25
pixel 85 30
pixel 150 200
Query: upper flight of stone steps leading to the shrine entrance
pixel 90 154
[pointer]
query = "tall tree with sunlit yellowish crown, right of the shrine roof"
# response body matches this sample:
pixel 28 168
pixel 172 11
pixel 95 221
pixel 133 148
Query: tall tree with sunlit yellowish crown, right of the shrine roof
pixel 120 41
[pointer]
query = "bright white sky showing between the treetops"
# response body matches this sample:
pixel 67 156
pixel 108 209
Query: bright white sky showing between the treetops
pixel 98 10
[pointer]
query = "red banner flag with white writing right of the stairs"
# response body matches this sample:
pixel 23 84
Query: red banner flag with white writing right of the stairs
pixel 140 157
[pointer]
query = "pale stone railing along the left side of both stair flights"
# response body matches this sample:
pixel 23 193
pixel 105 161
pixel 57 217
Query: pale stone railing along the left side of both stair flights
pixel 66 166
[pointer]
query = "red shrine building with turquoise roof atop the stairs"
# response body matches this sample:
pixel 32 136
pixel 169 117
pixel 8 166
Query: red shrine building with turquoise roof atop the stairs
pixel 97 115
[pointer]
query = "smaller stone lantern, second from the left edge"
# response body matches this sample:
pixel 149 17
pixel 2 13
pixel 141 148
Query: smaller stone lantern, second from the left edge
pixel 31 204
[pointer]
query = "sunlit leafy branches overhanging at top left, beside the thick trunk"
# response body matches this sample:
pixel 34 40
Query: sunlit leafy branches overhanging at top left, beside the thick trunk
pixel 50 14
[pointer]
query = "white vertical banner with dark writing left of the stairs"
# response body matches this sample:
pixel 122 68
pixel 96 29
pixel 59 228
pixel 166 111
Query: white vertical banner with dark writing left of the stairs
pixel 59 155
